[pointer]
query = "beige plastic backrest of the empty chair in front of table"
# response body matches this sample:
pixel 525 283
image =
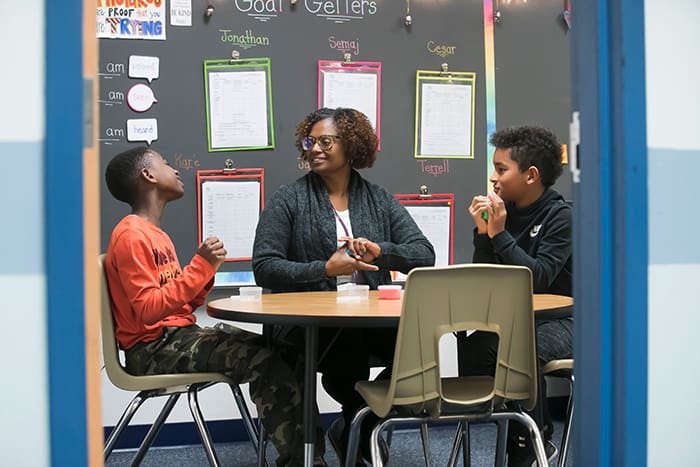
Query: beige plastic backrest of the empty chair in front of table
pixel 440 300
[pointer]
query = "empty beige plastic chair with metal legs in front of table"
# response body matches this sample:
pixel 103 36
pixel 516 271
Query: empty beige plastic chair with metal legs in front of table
pixel 441 300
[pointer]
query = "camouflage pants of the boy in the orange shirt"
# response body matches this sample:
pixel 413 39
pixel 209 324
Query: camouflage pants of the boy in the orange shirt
pixel 244 357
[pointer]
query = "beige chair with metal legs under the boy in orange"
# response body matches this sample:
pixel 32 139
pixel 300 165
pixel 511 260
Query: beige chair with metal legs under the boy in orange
pixel 150 386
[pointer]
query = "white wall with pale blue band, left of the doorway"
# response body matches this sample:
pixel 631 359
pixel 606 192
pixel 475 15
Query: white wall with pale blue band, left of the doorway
pixel 24 435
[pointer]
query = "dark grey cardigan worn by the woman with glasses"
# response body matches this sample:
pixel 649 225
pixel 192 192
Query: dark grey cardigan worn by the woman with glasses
pixel 296 235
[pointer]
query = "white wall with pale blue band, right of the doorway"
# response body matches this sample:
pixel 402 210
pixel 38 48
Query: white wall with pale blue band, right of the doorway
pixel 673 129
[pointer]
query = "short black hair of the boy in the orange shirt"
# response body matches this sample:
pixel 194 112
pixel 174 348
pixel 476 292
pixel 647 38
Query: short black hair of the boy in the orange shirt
pixel 123 171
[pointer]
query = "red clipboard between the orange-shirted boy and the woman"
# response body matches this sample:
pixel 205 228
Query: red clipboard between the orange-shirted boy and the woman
pixel 229 203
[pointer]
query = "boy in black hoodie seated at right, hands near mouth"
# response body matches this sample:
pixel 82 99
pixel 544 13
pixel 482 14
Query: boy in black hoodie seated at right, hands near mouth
pixel 524 222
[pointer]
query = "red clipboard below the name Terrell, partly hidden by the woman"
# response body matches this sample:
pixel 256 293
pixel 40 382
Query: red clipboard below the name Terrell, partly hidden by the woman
pixel 434 214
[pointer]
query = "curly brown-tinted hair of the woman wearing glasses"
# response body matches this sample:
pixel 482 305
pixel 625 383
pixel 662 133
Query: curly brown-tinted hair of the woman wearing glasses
pixel 354 129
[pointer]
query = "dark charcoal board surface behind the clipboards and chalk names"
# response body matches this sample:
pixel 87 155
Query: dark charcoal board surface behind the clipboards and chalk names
pixel 297 40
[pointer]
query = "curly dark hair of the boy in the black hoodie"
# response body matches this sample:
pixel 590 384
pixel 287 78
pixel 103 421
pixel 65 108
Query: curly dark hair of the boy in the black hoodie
pixel 532 146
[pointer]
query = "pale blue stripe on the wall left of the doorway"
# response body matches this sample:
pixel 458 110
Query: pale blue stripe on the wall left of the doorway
pixel 23 209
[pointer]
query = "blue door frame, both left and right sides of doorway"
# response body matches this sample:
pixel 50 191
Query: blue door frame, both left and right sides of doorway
pixel 610 233
